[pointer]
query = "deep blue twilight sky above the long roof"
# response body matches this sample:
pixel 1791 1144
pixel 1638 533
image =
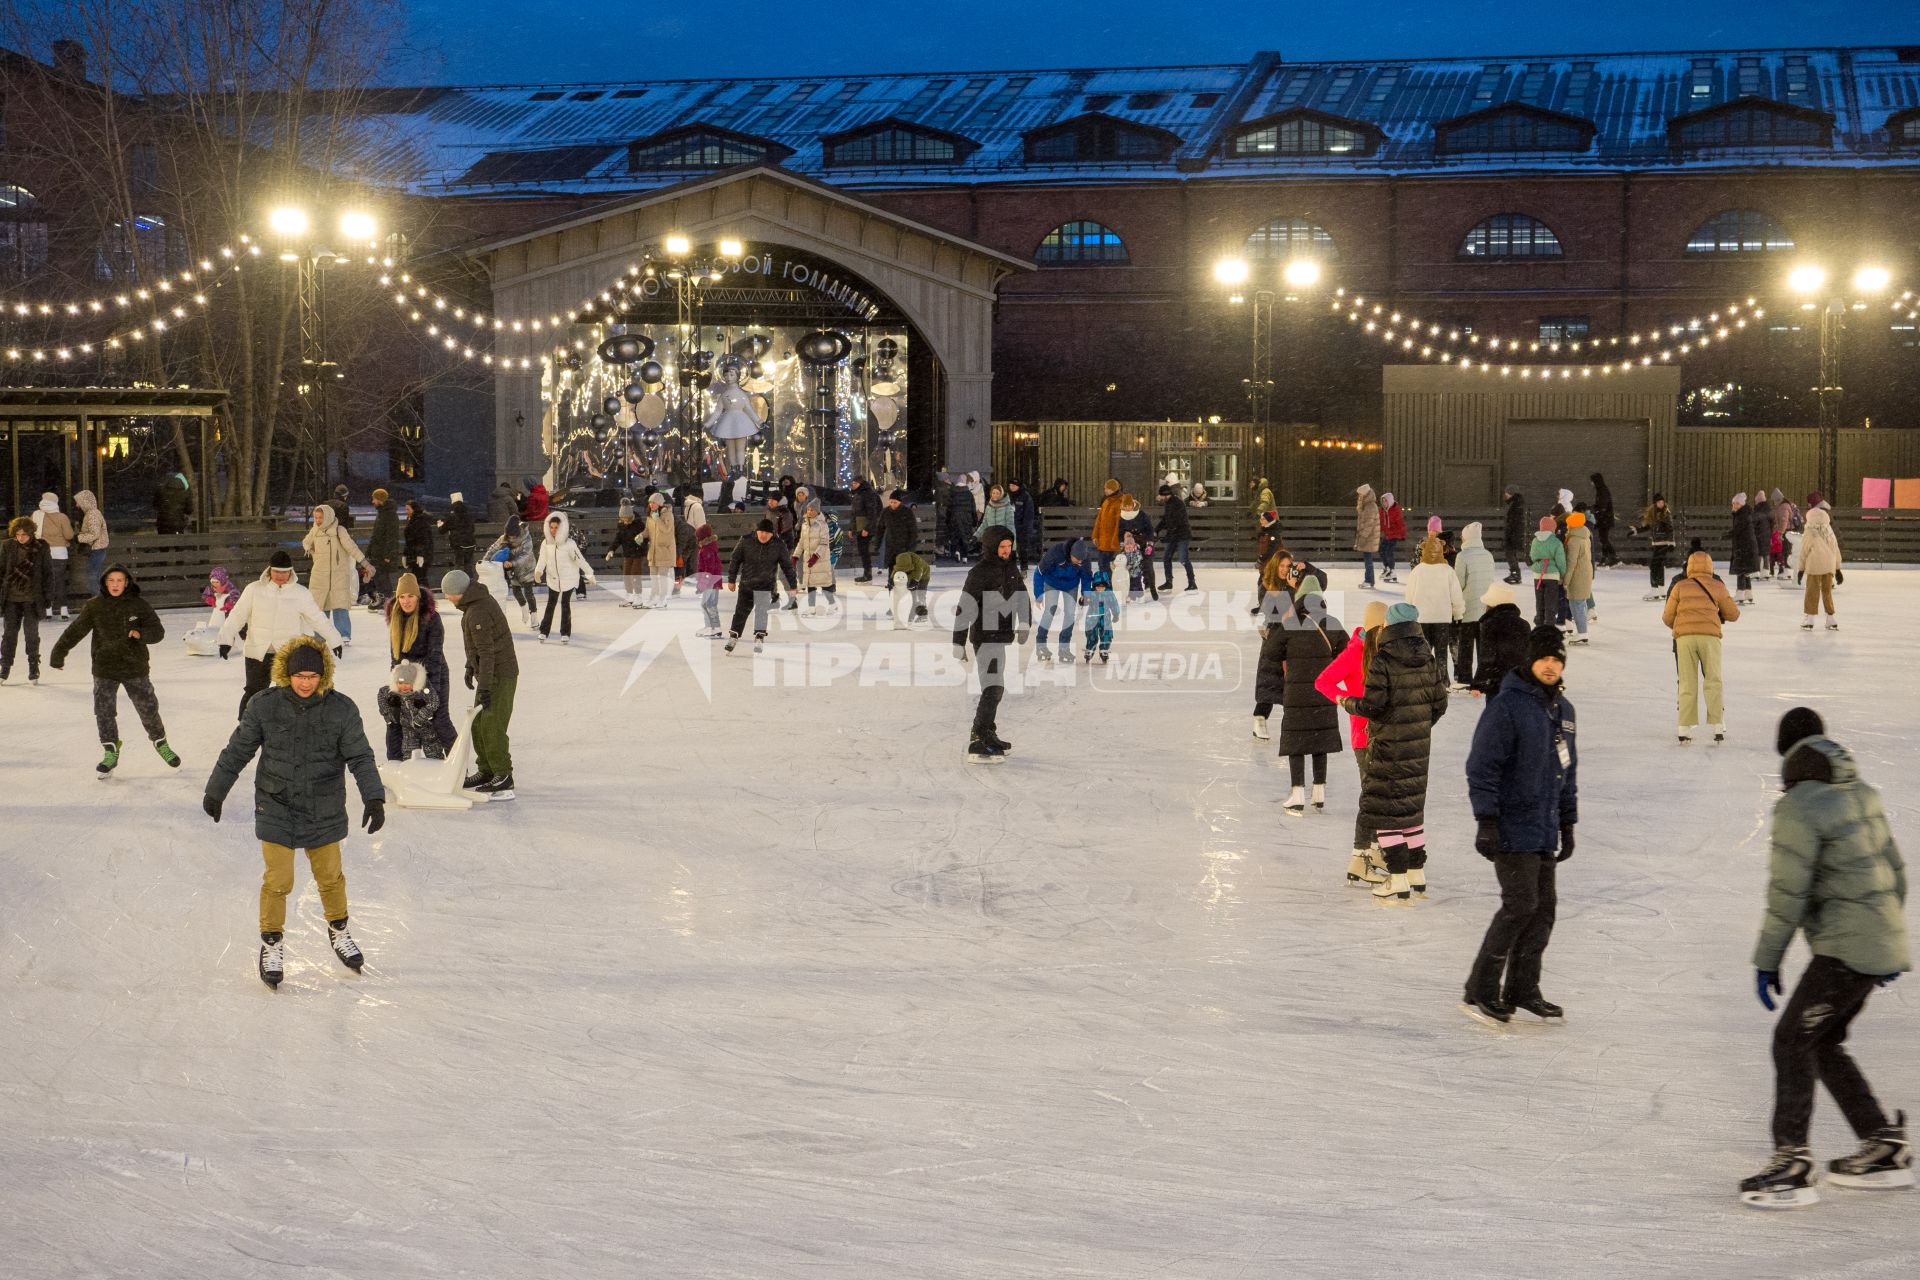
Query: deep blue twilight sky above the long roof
pixel 514 41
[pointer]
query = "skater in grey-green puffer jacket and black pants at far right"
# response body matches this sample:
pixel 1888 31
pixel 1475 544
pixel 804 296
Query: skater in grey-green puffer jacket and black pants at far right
pixel 1836 876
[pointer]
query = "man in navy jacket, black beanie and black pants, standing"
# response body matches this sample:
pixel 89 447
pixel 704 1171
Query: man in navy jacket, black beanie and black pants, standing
pixel 1525 801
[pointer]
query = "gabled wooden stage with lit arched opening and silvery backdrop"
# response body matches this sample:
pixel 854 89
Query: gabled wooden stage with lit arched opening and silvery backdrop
pixel 779 262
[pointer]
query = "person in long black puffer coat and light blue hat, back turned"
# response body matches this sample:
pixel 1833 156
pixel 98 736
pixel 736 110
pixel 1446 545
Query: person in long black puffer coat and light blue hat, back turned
pixel 1403 703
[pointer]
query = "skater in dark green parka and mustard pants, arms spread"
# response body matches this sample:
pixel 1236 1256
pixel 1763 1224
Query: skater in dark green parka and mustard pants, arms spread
pixel 308 736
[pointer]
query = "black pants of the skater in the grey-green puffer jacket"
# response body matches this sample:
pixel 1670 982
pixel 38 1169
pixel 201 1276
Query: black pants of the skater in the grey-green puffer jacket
pixel 1812 1045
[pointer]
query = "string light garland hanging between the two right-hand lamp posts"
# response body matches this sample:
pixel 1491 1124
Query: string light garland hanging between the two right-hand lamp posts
pixel 1443 343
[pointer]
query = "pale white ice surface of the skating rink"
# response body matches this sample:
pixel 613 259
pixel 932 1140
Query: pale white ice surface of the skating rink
pixel 777 985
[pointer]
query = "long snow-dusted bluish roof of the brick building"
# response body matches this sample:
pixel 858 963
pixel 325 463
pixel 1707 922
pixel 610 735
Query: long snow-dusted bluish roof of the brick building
pixel 581 137
